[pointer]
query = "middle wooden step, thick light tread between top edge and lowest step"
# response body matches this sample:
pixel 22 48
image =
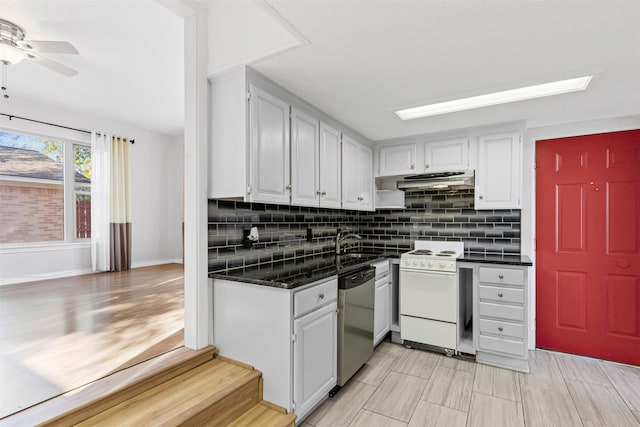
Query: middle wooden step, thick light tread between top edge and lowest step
pixel 214 393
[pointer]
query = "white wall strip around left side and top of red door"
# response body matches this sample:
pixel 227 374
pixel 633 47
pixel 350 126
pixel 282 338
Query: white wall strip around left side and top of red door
pixel 528 213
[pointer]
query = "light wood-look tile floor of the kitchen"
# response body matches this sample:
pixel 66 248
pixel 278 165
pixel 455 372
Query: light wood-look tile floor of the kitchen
pixel 405 387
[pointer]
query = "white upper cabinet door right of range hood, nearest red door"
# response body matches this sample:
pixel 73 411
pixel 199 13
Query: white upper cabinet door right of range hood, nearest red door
pixel 499 172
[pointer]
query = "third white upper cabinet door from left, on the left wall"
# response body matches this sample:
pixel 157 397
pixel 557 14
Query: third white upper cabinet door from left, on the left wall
pixel 330 167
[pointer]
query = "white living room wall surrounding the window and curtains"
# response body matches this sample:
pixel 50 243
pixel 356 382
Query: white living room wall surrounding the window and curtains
pixel 156 187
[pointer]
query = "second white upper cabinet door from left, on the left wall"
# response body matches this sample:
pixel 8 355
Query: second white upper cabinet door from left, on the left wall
pixel 305 162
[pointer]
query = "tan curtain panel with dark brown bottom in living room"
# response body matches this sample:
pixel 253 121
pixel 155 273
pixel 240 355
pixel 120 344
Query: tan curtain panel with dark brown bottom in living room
pixel 120 206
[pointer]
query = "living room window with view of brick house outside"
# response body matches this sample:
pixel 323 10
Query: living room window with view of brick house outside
pixel 45 189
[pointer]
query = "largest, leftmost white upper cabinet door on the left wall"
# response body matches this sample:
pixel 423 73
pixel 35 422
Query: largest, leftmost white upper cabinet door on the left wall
pixel 270 148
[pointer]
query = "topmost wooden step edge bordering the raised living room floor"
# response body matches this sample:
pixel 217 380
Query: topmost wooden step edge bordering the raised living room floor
pixel 84 402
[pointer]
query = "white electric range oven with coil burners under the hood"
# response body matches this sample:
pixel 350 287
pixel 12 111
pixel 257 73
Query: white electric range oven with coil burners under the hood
pixel 429 294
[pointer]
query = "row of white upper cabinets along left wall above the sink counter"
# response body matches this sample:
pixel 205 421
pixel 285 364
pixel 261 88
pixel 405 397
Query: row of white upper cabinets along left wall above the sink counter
pixel 268 145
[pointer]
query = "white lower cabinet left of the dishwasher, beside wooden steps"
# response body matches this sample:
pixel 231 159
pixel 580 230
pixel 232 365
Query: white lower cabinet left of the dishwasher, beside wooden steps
pixel 290 335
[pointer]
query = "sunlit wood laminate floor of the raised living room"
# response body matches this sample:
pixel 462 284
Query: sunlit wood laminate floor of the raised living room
pixel 57 335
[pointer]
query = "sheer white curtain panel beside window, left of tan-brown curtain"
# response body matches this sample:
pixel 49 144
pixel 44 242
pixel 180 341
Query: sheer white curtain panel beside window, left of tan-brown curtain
pixel 100 200
